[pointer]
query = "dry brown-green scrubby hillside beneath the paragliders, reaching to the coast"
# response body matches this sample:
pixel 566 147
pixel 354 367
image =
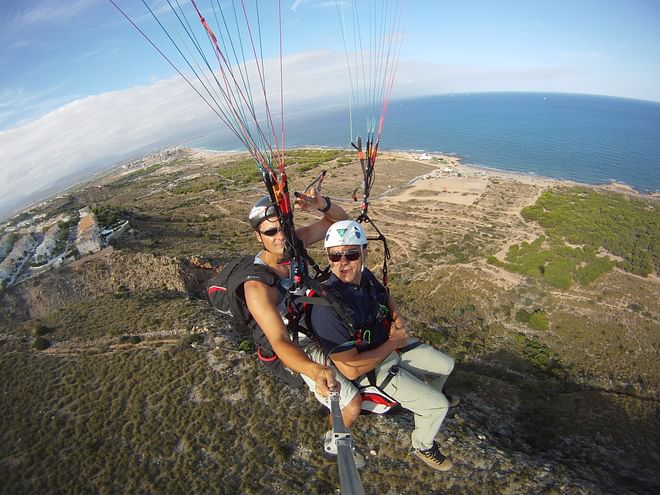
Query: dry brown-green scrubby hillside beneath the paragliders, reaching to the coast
pixel 144 389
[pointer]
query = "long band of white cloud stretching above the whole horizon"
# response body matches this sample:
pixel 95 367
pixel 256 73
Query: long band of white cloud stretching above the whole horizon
pixel 106 128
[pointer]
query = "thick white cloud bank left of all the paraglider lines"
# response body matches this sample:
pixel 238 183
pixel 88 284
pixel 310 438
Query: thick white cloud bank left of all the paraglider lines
pixel 104 127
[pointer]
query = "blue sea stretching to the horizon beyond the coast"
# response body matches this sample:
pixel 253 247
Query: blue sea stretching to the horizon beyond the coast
pixel 582 138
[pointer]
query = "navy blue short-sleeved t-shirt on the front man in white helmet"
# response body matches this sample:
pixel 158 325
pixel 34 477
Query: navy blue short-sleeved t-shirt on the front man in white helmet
pixel 365 303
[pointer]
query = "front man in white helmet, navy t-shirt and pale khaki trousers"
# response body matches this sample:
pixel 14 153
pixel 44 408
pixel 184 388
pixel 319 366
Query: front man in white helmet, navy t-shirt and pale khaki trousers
pixel 378 350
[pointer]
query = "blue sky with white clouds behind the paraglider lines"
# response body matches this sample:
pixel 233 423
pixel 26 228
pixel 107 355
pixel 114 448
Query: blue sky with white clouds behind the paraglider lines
pixel 81 89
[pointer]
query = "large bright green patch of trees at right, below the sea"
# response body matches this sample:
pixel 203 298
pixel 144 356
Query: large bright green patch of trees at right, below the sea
pixel 594 225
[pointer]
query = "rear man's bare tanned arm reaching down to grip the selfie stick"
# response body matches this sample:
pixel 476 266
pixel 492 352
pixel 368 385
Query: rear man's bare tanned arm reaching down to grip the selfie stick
pixel 262 303
